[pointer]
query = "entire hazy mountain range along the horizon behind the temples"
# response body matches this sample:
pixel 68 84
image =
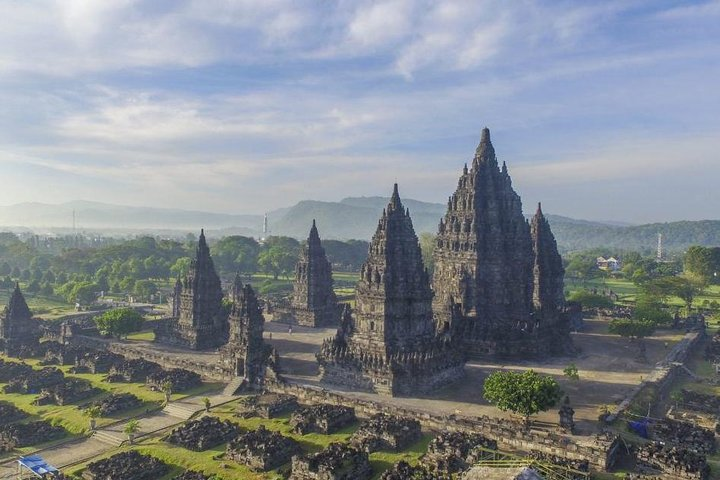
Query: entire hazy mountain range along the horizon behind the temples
pixel 350 218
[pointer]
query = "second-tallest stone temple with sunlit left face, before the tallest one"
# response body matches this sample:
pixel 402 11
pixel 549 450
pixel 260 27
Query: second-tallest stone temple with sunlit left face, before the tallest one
pixel 390 346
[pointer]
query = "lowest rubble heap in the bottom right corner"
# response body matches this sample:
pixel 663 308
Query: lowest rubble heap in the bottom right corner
pixel 678 462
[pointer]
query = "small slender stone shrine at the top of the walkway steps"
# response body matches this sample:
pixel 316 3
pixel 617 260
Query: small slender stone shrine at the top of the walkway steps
pixel 246 352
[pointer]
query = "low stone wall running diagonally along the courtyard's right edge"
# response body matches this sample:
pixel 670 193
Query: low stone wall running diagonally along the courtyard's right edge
pixel 664 373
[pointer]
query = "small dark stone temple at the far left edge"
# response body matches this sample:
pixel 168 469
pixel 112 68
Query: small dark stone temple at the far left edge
pixel 19 332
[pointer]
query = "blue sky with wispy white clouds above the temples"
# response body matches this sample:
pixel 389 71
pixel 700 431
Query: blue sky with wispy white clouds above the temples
pixel 602 110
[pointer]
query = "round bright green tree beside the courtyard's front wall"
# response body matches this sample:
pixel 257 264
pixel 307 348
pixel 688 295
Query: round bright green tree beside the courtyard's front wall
pixel 523 393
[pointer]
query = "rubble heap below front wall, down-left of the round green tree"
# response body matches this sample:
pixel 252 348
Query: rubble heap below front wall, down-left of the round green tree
pixel 453 452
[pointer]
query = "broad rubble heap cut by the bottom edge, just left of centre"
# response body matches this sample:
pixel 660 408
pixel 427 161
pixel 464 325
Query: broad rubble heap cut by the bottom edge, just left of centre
pixel 337 462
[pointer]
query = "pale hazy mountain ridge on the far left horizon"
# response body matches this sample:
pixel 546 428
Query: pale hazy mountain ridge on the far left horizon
pixel 97 216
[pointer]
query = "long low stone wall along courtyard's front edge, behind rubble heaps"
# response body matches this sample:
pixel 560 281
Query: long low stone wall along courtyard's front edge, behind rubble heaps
pixel 600 453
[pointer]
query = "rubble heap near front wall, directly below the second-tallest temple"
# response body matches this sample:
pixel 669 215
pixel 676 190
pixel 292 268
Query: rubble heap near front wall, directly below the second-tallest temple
pixel 388 433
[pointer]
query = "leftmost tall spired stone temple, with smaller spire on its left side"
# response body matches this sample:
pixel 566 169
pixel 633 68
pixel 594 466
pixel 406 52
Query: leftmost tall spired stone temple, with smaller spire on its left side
pixel 199 321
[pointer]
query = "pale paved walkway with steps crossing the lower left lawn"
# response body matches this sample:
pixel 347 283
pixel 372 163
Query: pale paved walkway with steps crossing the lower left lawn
pixel 83 449
